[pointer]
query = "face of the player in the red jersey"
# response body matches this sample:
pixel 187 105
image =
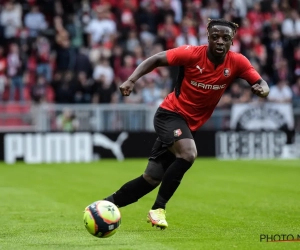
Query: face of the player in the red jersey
pixel 219 40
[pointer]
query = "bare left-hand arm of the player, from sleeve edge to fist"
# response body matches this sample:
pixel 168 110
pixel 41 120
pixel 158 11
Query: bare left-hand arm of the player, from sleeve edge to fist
pixel 157 60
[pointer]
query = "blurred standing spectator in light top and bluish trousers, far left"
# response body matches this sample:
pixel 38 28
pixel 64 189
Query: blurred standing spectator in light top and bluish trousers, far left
pixel 15 72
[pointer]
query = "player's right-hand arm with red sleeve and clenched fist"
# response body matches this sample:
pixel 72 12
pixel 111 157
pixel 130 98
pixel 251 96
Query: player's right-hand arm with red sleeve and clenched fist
pixel 246 71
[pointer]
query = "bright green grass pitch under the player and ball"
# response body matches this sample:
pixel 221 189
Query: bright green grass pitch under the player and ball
pixel 219 205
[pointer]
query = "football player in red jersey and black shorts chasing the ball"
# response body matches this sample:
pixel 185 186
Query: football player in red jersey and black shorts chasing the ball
pixel 205 72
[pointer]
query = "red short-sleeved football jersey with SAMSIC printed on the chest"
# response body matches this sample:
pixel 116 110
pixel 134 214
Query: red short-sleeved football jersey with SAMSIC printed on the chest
pixel 202 84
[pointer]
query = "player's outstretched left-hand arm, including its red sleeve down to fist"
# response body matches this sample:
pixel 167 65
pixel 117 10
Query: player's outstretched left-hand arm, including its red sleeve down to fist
pixel 178 56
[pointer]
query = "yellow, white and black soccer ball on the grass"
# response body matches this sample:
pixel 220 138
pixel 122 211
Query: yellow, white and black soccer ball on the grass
pixel 102 219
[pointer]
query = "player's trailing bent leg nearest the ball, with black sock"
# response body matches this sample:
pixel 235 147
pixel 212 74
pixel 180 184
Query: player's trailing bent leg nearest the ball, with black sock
pixel 135 189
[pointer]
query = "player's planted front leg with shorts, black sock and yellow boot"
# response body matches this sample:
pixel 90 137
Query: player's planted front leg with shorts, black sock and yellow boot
pixel 177 137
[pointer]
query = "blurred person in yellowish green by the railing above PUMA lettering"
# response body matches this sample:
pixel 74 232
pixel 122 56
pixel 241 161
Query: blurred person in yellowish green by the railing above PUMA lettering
pixel 67 121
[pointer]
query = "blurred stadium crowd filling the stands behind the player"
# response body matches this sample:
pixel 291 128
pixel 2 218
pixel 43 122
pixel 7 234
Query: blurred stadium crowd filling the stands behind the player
pixel 68 51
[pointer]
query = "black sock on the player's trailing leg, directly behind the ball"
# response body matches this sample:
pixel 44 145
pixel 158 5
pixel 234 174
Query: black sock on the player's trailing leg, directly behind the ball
pixel 130 192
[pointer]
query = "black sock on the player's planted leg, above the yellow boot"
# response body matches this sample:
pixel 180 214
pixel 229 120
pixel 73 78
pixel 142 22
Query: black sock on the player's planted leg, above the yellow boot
pixel 170 182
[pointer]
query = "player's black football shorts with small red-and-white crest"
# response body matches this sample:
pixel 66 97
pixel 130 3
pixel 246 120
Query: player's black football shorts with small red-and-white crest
pixel 169 127
